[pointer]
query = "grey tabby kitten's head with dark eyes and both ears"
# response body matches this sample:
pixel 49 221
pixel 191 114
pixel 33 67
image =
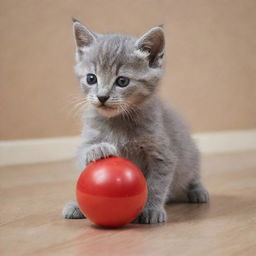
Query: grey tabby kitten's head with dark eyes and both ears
pixel 118 72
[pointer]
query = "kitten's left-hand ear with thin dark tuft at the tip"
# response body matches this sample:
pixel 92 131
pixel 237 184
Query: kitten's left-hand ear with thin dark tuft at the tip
pixel 83 36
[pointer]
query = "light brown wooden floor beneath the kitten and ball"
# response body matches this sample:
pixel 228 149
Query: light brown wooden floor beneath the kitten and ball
pixel 32 197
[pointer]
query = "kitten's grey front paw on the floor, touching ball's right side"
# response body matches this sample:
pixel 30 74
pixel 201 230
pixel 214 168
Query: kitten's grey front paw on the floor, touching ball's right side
pixel 151 216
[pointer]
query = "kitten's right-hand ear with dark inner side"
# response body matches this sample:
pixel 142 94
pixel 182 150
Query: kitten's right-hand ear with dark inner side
pixel 152 44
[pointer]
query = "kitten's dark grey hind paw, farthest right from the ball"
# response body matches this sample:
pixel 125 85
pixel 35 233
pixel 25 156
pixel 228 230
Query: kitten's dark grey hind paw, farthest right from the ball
pixel 197 193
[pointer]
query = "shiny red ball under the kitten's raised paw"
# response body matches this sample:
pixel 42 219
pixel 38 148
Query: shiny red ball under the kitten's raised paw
pixel 111 192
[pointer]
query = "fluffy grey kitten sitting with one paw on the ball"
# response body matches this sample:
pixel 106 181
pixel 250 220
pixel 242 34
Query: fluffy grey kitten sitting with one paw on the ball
pixel 119 76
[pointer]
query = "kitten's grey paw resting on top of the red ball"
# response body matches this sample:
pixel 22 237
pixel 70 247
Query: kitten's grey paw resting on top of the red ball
pixel 101 150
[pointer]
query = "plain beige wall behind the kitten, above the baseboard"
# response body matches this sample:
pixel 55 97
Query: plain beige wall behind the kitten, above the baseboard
pixel 211 65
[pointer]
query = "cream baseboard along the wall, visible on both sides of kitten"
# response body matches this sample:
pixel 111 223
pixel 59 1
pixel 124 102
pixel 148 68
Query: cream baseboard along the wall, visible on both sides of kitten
pixel 56 149
